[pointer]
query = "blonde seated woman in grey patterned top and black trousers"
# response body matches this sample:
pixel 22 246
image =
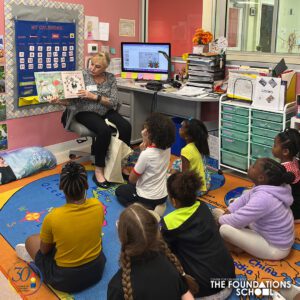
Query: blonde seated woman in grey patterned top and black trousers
pixel 95 104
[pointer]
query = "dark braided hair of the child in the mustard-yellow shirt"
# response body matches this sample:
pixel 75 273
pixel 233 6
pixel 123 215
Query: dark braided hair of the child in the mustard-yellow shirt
pixel 73 181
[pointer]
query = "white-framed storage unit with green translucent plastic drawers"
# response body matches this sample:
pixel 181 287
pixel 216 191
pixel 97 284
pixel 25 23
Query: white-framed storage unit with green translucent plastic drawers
pixel 248 133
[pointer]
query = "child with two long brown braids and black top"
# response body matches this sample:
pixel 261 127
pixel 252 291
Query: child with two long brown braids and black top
pixel 149 270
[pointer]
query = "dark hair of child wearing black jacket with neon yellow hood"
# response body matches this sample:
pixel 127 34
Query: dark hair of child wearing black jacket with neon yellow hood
pixel 183 187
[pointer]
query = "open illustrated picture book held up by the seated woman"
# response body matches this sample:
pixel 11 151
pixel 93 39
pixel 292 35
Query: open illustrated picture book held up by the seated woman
pixel 62 85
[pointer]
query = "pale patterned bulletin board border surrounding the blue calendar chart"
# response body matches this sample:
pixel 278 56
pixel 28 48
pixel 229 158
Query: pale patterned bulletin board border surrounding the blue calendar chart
pixel 37 11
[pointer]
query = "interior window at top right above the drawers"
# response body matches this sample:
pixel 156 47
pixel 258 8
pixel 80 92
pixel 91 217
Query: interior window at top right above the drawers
pixel 259 26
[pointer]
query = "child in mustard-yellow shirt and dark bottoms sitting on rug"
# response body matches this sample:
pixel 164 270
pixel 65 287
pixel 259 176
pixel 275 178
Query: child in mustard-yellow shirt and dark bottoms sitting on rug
pixel 68 251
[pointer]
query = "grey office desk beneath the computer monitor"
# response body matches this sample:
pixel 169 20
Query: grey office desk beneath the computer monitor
pixel 137 101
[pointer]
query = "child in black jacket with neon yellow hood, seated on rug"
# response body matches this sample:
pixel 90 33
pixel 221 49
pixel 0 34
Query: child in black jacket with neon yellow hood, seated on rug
pixel 192 235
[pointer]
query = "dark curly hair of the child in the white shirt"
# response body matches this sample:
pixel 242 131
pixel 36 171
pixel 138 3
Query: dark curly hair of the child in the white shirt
pixel 161 130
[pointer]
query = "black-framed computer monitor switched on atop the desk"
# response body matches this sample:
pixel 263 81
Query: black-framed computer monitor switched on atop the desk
pixel 145 57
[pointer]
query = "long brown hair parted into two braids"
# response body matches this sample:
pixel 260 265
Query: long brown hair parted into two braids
pixel 139 235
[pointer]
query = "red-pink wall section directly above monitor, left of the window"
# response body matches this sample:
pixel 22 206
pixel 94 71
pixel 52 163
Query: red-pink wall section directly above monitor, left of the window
pixel 175 22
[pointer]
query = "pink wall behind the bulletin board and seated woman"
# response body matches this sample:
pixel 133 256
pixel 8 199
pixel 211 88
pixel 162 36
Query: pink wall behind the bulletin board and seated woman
pixel 46 129
